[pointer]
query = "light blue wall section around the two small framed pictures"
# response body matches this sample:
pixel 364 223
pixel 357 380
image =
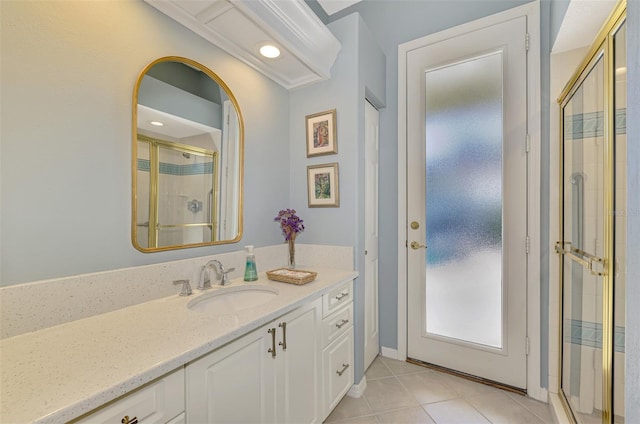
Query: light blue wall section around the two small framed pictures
pixel 357 72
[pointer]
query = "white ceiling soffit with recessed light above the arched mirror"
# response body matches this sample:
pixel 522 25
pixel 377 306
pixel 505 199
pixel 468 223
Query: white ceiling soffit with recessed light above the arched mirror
pixel 240 27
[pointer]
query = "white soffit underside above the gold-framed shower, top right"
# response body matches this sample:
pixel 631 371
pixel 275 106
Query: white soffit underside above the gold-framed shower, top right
pixel 581 23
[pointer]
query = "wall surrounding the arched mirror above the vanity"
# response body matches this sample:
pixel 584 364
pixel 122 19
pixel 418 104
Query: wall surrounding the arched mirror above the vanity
pixel 68 73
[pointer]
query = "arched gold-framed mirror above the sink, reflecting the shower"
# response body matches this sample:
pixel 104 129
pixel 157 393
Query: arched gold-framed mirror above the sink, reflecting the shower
pixel 187 162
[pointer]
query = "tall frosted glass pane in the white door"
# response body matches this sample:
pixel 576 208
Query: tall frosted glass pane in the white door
pixel 464 200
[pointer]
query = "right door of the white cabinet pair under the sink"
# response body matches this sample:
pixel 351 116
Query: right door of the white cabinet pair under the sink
pixel 299 365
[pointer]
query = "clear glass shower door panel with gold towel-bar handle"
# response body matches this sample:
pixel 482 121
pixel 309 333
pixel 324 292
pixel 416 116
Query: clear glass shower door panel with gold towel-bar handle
pixel 583 245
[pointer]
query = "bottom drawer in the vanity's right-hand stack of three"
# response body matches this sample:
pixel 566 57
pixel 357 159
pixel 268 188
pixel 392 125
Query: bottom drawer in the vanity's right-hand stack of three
pixel 338 369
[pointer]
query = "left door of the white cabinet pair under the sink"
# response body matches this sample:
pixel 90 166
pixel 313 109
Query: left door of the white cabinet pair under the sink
pixel 234 384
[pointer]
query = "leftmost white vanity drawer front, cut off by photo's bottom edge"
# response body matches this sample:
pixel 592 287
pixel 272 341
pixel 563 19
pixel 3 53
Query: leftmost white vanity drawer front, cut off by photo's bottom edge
pixel 156 402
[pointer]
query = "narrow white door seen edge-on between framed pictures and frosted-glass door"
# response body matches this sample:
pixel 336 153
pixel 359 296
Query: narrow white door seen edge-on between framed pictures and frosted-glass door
pixel 371 340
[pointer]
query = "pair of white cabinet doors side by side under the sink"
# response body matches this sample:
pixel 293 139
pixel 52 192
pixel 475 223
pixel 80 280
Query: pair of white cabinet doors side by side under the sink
pixel 269 375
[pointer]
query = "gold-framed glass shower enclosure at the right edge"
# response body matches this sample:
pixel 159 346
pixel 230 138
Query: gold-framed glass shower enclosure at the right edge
pixel 592 230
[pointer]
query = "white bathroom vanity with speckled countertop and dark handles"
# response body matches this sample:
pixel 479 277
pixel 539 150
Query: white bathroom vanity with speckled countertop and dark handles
pixel 288 359
